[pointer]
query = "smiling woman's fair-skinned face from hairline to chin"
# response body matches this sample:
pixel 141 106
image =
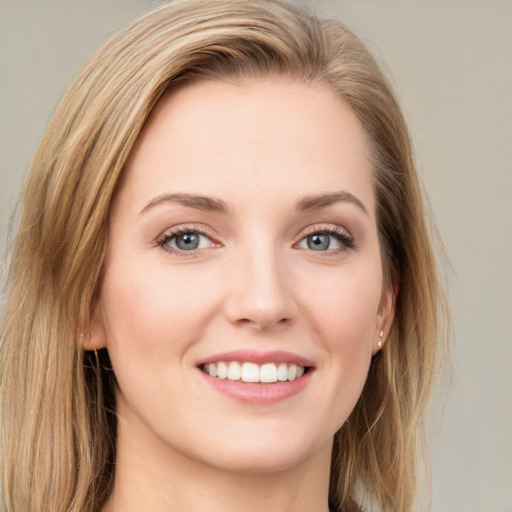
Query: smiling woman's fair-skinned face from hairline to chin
pixel 243 244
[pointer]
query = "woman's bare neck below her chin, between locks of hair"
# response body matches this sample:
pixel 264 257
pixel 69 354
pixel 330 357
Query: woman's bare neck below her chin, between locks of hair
pixel 152 476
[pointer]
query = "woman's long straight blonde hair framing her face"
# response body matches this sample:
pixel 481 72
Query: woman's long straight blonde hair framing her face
pixel 58 410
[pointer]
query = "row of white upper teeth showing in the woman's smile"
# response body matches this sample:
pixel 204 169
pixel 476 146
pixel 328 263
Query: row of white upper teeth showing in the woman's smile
pixel 251 372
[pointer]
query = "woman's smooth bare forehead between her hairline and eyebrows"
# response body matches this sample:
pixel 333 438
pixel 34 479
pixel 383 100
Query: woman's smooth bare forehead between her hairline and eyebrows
pixel 272 137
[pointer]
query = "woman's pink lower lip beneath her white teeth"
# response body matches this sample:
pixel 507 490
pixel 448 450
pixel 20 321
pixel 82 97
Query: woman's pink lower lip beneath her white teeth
pixel 258 393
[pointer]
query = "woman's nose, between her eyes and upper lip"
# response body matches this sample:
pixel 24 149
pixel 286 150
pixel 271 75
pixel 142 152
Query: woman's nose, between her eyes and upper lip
pixel 261 294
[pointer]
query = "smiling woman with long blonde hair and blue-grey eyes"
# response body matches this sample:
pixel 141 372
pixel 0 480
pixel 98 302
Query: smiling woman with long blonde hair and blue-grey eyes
pixel 223 291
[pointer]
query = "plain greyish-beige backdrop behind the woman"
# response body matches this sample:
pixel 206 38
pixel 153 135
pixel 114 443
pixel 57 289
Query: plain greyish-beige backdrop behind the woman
pixel 451 63
